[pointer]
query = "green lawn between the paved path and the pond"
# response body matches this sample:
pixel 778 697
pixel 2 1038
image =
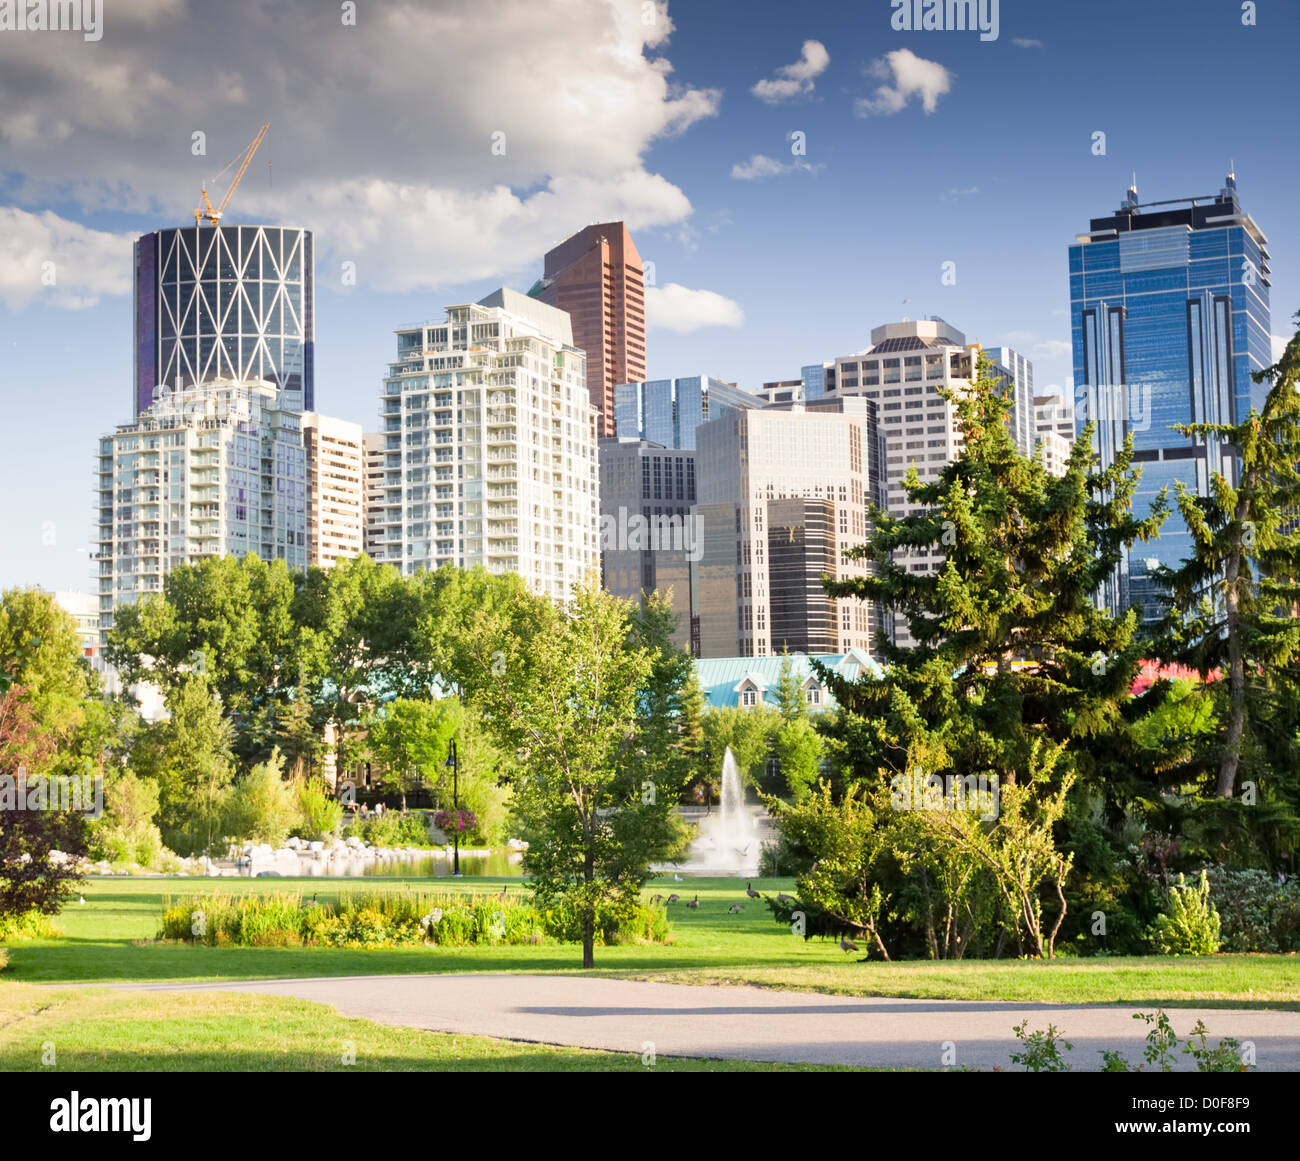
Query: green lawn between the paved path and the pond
pixel 107 941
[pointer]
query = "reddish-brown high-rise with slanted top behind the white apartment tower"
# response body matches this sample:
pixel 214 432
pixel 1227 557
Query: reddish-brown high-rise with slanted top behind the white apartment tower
pixel 597 278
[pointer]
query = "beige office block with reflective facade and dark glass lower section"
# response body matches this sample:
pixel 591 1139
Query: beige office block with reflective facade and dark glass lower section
pixel 782 493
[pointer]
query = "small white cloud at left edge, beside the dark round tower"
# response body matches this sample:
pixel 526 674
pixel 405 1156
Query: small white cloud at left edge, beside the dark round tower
pixel 62 263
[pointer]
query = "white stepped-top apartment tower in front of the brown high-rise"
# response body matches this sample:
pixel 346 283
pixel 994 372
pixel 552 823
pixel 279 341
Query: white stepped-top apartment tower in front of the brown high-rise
pixel 491 447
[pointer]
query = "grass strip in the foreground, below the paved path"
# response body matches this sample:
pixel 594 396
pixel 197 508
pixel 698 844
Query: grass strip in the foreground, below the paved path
pixel 96 1030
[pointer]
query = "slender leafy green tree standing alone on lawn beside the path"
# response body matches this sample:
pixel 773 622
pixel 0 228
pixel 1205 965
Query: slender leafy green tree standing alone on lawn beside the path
pixel 566 690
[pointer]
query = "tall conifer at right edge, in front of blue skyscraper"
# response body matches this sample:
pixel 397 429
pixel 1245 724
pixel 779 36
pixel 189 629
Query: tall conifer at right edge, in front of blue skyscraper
pixel 1234 601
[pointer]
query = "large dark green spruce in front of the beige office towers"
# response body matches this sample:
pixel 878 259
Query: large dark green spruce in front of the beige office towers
pixel 1012 649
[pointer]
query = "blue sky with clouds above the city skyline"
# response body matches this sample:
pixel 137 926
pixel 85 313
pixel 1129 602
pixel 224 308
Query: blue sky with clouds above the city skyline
pixel 798 175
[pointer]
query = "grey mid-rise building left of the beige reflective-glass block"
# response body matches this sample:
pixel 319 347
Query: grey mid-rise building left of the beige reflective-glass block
pixel 648 532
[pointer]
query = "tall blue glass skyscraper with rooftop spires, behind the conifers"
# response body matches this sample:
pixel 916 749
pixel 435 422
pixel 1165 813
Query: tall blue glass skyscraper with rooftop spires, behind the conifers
pixel 1169 314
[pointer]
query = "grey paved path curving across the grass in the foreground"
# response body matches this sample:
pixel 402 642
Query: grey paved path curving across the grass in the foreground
pixel 757 1024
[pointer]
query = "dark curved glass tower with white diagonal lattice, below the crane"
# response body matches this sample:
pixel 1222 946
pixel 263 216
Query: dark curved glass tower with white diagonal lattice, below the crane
pixel 224 302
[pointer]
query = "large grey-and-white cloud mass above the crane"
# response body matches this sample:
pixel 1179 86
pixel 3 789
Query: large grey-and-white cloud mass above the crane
pixel 382 135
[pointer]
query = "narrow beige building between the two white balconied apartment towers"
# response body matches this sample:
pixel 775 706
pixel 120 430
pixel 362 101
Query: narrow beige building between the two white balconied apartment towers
pixel 336 497
